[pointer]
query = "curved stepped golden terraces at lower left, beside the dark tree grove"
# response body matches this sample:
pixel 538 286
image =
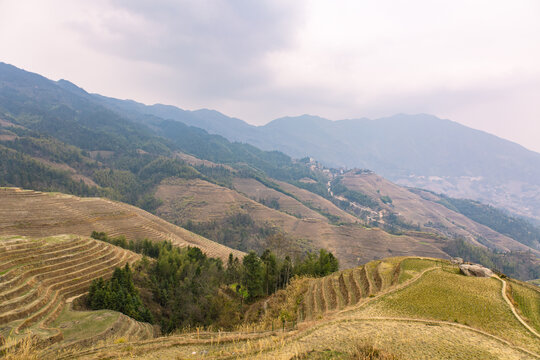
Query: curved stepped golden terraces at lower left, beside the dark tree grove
pixel 40 277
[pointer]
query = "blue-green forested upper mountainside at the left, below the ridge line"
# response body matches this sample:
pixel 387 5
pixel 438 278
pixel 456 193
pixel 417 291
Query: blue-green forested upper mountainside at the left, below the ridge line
pixel 63 124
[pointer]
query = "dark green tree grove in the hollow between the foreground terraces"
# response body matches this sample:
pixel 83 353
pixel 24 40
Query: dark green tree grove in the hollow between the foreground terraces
pixel 184 287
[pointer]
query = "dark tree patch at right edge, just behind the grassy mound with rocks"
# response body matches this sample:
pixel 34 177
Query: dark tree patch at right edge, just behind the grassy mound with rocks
pixel 519 265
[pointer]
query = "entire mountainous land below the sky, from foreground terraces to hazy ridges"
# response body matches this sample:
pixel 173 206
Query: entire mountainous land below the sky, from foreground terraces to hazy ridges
pixel 122 223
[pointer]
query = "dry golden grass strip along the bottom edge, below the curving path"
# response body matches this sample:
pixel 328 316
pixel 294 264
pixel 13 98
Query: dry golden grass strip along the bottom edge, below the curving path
pixel 346 339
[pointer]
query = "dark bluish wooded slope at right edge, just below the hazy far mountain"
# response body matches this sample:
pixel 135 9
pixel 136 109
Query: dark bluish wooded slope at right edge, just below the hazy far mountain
pixel 518 229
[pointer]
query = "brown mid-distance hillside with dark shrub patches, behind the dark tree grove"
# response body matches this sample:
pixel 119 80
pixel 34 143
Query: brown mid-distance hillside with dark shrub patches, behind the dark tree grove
pixel 201 205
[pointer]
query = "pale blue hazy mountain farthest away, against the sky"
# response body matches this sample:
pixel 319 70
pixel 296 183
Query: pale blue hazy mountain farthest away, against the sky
pixel 413 150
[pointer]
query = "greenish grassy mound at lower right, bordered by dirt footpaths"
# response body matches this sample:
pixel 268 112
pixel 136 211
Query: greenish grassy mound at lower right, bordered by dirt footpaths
pixel 448 296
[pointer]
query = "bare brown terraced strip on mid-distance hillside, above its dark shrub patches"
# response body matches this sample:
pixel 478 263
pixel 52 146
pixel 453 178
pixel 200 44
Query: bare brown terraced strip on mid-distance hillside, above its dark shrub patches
pixel 201 201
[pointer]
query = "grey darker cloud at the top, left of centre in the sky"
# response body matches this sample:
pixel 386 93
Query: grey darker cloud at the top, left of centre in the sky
pixel 213 48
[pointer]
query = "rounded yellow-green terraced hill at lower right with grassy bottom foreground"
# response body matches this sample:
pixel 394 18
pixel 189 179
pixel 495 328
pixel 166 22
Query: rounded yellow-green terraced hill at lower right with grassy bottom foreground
pixel 414 308
